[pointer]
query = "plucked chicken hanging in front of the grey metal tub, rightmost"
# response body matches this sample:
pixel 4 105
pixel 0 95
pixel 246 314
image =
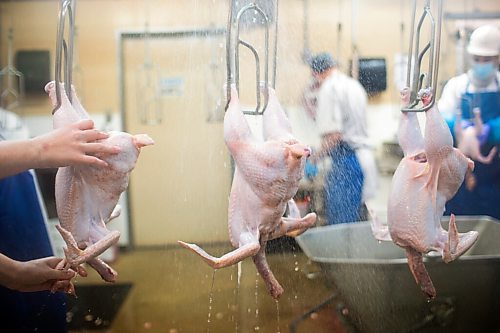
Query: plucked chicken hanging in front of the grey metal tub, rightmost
pixel 429 175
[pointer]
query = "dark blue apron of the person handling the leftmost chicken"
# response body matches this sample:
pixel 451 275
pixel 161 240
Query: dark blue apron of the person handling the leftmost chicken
pixel 23 237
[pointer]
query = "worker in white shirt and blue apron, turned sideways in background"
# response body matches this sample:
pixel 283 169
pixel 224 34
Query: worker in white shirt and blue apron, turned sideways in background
pixel 341 122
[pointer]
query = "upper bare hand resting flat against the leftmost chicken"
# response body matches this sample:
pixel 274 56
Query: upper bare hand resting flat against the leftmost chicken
pixel 73 144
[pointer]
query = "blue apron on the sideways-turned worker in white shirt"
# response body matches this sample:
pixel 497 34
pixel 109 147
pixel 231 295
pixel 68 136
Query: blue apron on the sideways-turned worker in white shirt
pixel 343 186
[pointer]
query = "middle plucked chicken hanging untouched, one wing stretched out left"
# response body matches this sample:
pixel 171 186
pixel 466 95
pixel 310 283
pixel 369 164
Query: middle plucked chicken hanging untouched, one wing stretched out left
pixel 266 178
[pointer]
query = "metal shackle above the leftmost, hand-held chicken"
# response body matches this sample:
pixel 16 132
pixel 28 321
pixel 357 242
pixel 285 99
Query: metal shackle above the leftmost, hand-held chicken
pixel 64 51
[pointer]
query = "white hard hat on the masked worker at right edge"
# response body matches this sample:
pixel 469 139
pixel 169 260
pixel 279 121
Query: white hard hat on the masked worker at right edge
pixel 485 41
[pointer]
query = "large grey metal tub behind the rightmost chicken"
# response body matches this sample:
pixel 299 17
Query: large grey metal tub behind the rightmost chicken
pixel 380 294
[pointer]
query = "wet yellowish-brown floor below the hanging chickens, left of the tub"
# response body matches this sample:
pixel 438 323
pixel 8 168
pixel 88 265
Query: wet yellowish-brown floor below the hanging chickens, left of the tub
pixel 171 293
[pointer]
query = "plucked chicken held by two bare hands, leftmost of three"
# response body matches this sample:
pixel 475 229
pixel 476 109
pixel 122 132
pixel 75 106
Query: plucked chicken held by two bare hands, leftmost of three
pixel 87 197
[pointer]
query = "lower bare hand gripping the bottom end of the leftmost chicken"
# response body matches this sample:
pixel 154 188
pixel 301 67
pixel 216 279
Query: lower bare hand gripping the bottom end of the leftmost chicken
pixel 39 274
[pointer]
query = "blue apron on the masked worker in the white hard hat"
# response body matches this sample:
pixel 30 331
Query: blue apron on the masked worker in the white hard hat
pixel 484 199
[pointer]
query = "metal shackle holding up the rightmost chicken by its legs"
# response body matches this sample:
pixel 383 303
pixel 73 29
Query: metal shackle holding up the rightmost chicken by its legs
pixel 423 81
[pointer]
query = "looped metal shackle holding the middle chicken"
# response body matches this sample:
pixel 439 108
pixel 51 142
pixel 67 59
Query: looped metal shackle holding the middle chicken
pixel 233 42
